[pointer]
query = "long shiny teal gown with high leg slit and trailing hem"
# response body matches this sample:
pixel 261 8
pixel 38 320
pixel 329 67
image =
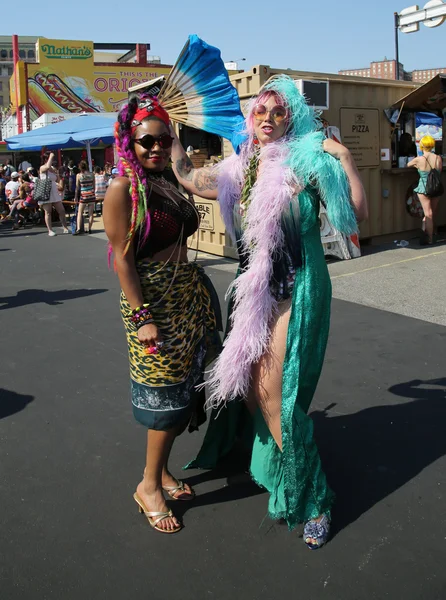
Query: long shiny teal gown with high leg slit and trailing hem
pixel 294 478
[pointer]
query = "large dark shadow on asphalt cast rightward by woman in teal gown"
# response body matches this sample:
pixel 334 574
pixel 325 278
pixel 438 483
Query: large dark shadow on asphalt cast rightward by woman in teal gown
pixel 369 454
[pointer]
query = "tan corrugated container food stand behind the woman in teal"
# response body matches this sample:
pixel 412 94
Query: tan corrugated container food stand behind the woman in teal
pixel 357 108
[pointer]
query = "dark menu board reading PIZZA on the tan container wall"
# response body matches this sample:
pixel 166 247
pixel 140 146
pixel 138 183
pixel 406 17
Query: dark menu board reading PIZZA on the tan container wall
pixel 360 134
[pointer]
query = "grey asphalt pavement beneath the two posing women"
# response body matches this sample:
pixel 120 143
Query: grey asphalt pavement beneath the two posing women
pixel 71 453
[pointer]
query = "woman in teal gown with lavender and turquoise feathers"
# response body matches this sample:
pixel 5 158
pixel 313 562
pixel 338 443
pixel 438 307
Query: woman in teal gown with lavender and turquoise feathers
pixel 270 196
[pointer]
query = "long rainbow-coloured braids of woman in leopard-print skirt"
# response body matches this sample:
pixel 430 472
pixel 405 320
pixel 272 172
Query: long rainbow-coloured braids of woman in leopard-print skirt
pixel 130 166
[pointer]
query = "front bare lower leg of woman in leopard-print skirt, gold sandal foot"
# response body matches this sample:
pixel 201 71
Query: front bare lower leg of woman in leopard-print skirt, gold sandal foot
pixel 159 445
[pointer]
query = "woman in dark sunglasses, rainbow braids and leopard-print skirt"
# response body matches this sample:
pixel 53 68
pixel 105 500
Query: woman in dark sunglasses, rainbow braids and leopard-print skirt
pixel 169 307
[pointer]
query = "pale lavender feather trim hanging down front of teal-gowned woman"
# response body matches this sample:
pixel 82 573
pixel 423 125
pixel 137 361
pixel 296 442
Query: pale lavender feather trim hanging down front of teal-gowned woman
pixel 254 306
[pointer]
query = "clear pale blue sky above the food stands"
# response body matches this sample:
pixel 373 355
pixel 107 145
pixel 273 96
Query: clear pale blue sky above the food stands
pixel 318 35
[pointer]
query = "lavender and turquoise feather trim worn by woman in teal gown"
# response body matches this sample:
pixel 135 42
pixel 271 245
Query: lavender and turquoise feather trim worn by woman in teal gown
pixel 286 167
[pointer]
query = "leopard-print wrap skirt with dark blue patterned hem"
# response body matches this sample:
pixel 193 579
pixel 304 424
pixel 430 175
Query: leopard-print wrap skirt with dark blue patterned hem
pixel 163 385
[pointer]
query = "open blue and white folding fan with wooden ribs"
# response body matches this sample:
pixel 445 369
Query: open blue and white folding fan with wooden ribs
pixel 198 93
